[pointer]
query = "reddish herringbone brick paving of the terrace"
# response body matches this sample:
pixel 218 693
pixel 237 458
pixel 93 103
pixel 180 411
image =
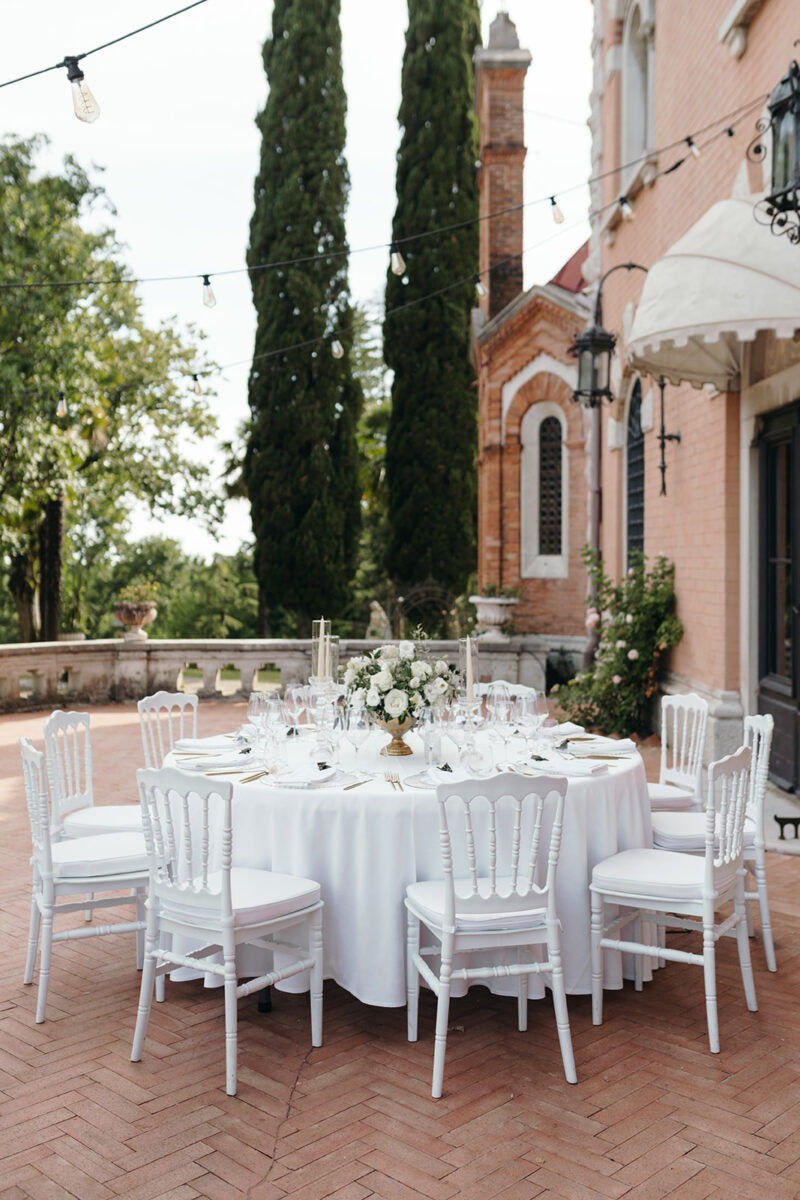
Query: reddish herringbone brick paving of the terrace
pixel 654 1114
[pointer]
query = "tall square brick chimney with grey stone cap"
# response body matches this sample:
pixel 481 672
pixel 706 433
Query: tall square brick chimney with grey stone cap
pixel 500 81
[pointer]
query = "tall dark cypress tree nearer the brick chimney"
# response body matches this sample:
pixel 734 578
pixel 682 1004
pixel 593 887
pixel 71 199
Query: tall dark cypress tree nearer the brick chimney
pixel 432 435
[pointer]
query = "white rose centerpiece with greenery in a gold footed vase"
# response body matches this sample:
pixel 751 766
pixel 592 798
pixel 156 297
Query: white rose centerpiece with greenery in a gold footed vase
pixel 396 686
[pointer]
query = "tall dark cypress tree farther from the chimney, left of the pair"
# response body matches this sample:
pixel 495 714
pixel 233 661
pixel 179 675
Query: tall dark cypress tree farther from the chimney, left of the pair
pixel 302 467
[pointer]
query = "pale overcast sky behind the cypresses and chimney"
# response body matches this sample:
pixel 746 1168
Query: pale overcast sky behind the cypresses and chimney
pixel 179 149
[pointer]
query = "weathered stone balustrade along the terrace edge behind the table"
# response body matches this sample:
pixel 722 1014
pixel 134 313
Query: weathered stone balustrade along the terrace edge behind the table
pixel 118 669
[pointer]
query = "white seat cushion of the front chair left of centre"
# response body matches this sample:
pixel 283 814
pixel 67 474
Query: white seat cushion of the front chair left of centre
pixel 256 897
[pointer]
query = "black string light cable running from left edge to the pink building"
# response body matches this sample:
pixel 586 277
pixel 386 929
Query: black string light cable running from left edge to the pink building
pixel 729 122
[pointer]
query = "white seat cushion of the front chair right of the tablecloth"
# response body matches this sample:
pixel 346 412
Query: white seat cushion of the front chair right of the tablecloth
pixel 658 873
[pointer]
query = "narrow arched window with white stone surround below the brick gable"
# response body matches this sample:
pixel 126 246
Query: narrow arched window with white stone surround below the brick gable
pixel 544 493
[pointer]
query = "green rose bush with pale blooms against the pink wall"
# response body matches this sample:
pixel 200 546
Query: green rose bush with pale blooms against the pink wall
pixel 636 626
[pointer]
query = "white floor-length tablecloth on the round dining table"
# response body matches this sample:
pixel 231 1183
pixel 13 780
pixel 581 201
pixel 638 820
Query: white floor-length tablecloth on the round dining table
pixel 366 845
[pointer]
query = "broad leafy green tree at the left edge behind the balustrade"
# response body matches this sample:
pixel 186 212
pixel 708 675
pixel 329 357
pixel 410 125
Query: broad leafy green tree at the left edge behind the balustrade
pixel 95 406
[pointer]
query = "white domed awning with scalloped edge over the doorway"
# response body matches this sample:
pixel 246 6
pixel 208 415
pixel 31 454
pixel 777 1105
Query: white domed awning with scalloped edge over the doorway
pixel 727 279
